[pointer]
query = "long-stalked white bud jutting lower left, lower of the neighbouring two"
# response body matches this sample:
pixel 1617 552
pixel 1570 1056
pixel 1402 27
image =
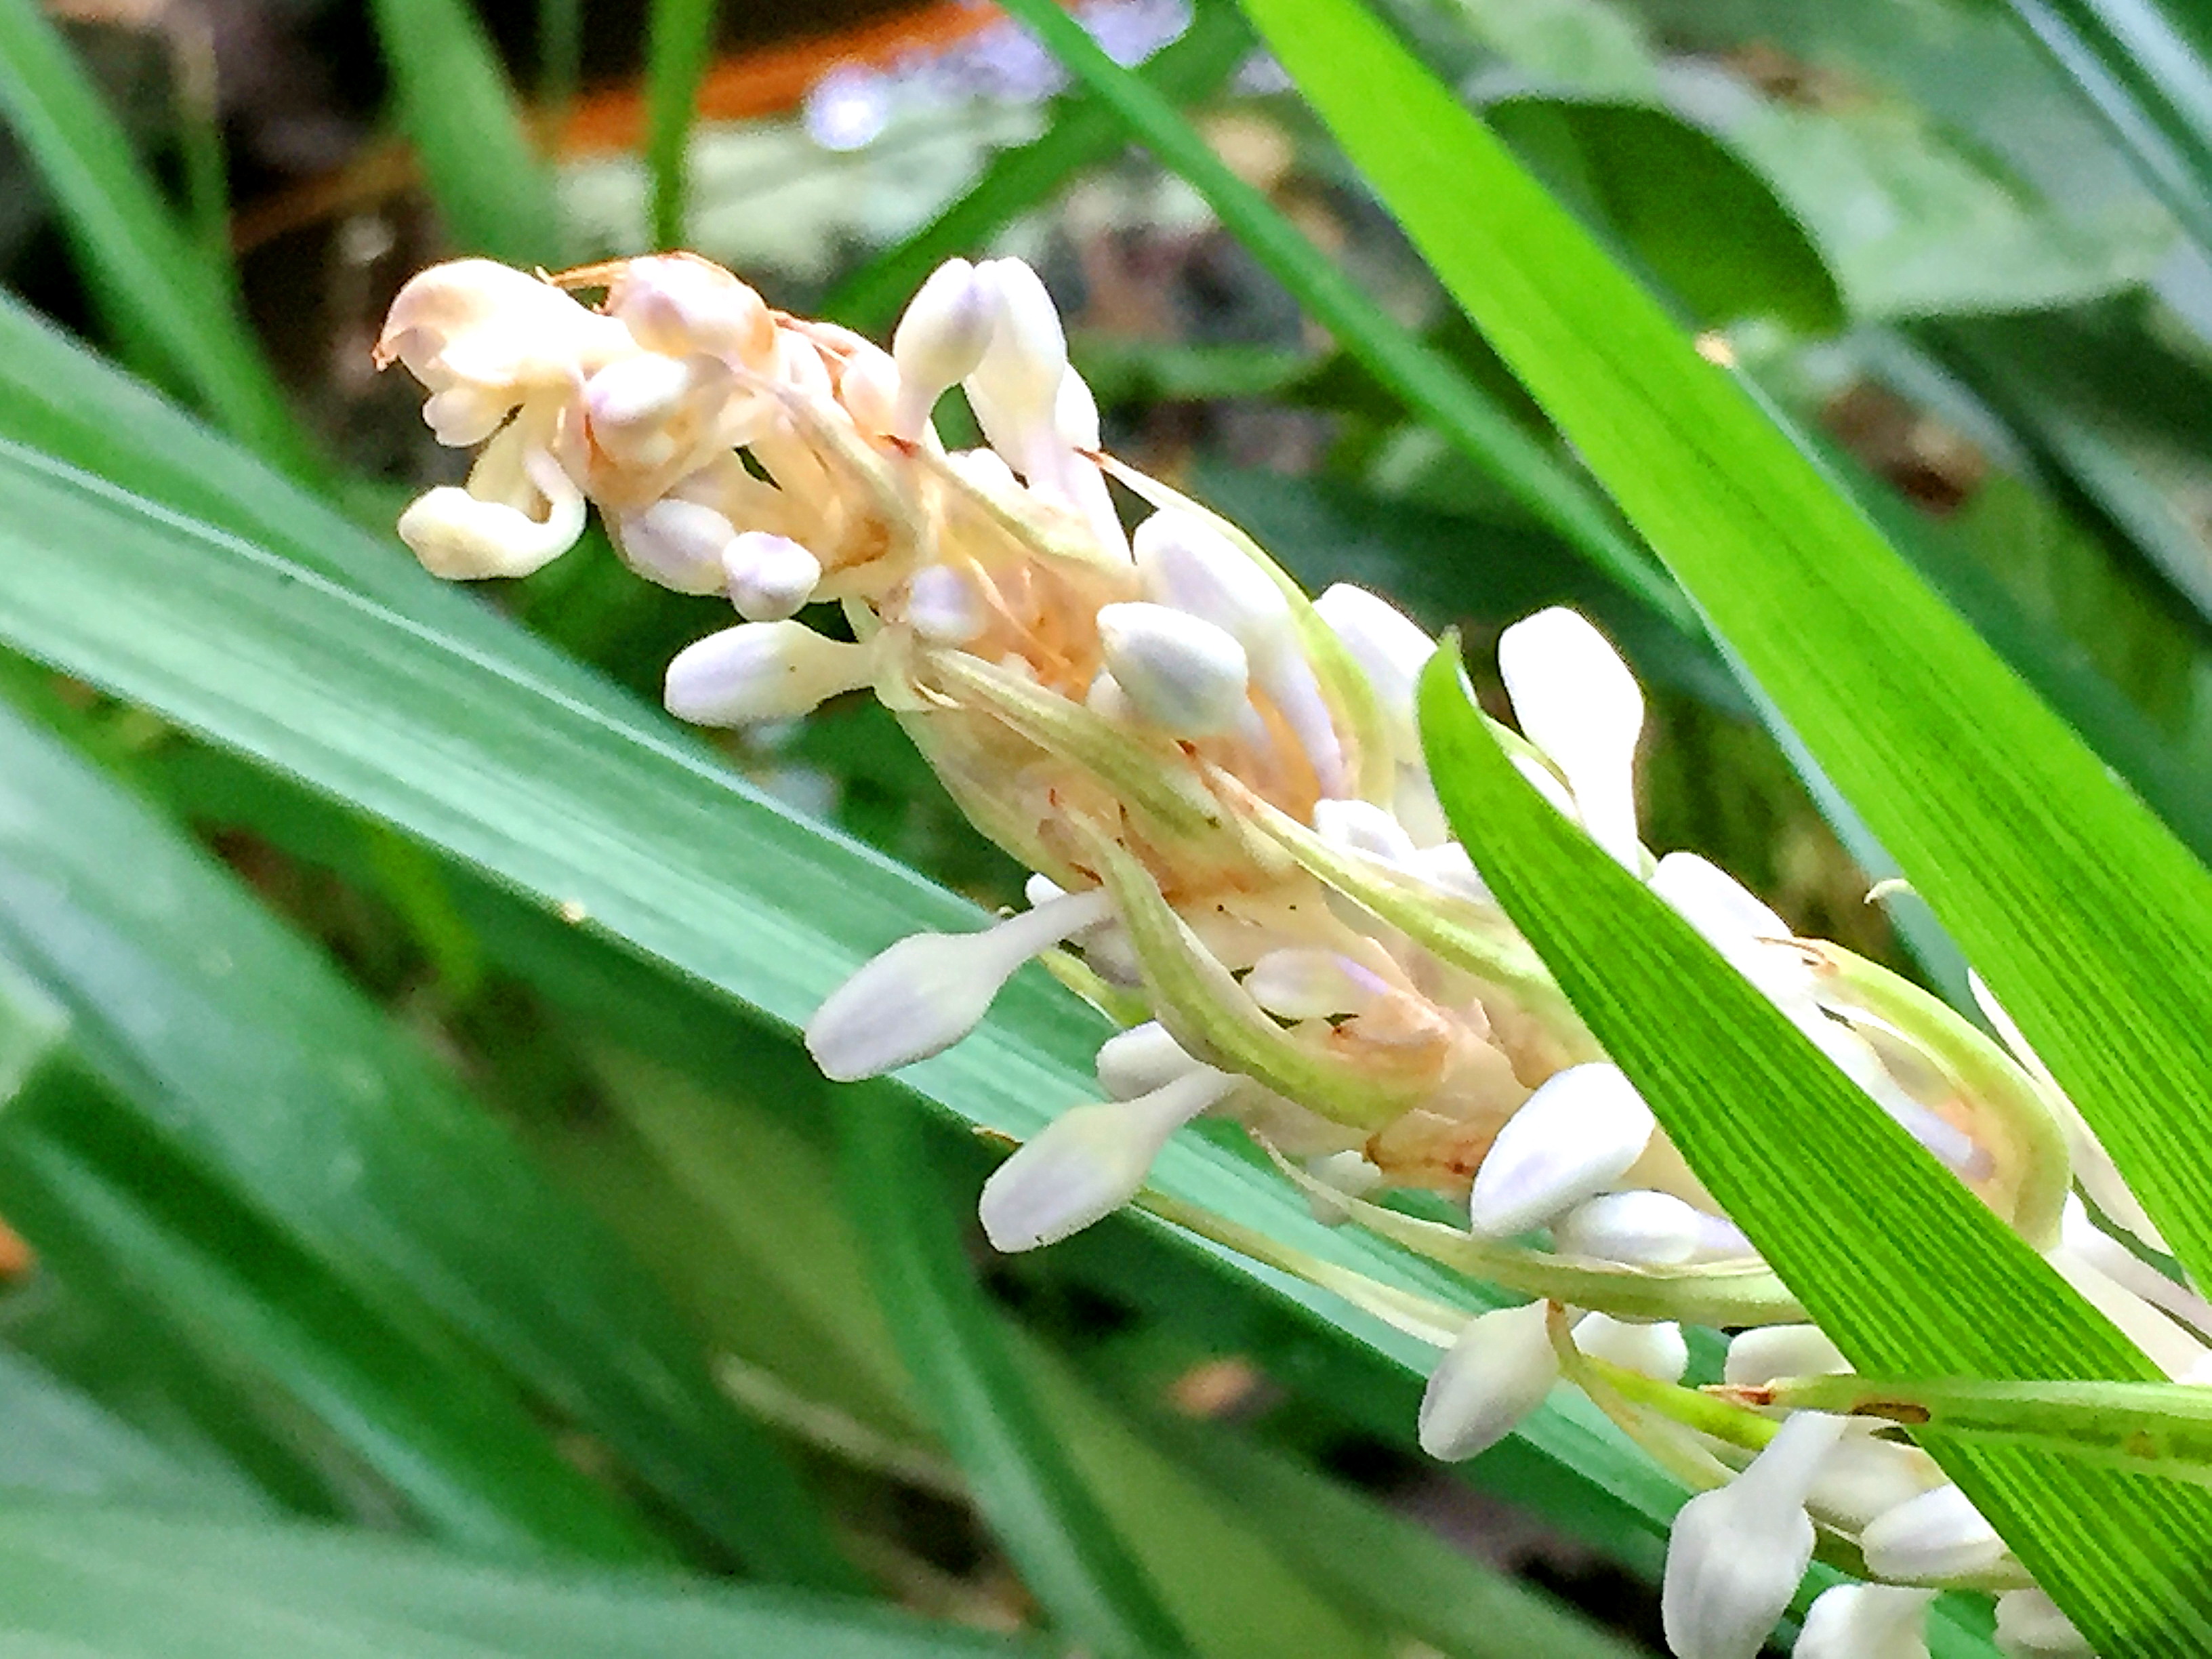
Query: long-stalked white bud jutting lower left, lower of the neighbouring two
pixel 1089 1162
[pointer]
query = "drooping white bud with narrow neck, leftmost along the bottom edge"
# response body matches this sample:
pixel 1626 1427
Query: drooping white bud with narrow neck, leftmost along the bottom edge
pixel 1738 1556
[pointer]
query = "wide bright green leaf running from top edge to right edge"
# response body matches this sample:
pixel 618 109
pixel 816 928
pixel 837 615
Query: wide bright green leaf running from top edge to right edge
pixel 2085 915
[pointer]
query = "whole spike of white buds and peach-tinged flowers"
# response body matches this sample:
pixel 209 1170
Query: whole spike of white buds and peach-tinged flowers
pixel 1240 857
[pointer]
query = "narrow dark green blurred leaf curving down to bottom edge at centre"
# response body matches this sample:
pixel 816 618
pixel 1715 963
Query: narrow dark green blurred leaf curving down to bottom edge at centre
pixel 972 1381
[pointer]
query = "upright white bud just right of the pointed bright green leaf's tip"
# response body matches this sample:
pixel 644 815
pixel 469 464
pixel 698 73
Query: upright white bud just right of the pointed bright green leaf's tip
pixel 1578 702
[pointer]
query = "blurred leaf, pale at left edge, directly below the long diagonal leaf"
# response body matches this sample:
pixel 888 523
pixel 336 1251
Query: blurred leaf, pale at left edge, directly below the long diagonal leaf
pixel 238 1045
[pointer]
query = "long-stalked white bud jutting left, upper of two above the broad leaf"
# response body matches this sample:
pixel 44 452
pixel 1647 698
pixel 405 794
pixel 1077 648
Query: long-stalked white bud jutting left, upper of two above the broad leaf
pixel 930 990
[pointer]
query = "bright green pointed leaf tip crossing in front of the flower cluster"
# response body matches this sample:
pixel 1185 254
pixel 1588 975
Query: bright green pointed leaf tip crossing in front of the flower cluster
pixel 1888 1253
